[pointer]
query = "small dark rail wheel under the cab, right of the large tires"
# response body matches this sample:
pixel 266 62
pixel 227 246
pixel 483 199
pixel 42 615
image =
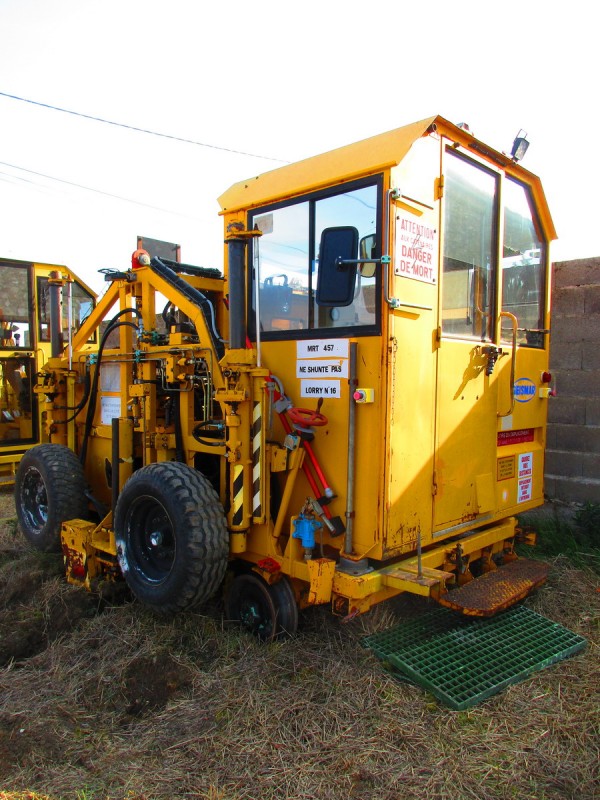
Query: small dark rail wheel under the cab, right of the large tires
pixel 249 603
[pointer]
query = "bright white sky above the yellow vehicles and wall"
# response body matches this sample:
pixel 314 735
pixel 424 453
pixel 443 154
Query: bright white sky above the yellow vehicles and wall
pixel 277 79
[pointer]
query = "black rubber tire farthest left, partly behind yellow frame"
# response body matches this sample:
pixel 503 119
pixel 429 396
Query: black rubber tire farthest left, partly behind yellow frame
pixel 49 489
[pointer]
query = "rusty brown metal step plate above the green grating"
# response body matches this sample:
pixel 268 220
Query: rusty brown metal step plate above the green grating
pixel 494 591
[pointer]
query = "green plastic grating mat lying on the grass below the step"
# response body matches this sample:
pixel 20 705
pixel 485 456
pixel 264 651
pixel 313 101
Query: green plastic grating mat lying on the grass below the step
pixel 464 660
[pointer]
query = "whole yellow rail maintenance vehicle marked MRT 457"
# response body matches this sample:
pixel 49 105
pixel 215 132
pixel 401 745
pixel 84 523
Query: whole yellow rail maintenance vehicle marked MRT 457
pixel 355 408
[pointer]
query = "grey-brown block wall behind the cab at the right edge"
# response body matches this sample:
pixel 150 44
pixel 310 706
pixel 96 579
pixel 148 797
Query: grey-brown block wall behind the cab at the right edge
pixel 573 452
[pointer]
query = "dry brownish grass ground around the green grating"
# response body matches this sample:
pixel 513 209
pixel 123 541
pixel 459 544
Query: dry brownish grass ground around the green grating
pixel 117 704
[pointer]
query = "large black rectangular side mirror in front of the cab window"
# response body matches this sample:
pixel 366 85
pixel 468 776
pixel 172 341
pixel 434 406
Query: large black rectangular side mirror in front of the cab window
pixel 336 277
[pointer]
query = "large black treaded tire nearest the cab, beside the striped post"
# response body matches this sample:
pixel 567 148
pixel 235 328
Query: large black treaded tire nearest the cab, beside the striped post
pixel 172 540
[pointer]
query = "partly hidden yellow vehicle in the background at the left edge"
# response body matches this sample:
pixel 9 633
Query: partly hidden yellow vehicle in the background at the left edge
pixel 29 290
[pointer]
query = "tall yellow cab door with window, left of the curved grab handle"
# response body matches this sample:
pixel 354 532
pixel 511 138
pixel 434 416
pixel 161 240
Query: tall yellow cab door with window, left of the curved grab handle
pixel 466 389
